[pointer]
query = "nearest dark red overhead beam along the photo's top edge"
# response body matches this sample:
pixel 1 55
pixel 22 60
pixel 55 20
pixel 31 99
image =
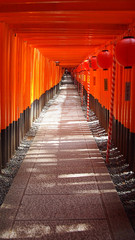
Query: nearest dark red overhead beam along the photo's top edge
pixel 58 6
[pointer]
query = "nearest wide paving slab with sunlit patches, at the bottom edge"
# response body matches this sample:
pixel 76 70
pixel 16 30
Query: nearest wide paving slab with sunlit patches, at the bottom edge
pixel 58 230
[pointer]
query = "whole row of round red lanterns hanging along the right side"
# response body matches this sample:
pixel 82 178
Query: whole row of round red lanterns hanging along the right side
pixel 124 53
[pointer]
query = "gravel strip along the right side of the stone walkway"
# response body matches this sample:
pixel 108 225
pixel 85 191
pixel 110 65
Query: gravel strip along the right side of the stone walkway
pixel 122 177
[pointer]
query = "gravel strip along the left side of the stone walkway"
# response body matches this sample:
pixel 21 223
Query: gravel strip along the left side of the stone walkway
pixel 7 175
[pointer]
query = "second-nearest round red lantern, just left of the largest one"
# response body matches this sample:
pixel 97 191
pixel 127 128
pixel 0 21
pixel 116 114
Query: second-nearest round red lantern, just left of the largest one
pixel 104 59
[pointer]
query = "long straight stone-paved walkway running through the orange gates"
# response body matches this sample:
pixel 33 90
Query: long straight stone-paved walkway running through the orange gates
pixel 63 189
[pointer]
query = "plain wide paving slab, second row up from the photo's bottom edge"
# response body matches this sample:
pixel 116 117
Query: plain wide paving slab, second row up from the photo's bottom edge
pixel 52 207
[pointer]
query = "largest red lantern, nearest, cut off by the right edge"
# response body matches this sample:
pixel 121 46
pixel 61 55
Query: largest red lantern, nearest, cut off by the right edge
pixel 125 52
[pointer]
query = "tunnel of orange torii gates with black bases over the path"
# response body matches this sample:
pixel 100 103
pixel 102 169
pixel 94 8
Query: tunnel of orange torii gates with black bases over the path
pixel 40 39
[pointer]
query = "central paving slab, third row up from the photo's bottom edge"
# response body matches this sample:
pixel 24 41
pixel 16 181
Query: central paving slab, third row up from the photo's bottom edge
pixel 51 184
